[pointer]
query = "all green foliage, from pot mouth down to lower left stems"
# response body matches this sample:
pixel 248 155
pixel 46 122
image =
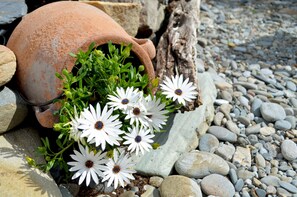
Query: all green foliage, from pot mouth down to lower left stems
pixel 96 74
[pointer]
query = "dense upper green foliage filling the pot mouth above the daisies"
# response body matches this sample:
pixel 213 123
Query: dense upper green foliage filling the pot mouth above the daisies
pixel 97 75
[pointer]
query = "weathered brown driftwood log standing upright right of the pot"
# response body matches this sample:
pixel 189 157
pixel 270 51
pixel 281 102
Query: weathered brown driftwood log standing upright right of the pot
pixel 176 50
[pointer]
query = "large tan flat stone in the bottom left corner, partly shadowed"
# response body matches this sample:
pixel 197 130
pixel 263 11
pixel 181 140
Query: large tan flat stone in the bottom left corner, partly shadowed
pixel 16 177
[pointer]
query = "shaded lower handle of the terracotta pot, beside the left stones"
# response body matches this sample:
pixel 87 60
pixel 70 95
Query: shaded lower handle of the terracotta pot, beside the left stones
pixel 47 118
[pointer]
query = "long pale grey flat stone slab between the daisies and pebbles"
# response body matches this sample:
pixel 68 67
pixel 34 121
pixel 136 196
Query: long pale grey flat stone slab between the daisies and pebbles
pixel 181 136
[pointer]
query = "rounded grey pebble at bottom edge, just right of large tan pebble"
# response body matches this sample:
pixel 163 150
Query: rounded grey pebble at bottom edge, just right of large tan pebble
pixel 217 185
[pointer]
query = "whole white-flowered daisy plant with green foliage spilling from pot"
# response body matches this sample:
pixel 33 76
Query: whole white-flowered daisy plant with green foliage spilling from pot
pixel 110 111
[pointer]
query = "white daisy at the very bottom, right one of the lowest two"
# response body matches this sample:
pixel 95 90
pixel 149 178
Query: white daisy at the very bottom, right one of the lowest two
pixel 119 170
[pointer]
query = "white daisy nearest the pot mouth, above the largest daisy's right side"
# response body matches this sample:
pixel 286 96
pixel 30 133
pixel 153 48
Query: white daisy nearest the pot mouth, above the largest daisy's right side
pixel 124 99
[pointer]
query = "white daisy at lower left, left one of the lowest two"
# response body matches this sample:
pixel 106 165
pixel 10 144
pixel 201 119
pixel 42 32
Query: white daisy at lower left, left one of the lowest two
pixel 88 166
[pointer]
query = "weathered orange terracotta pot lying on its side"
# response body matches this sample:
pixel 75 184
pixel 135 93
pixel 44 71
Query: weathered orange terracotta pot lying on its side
pixel 44 38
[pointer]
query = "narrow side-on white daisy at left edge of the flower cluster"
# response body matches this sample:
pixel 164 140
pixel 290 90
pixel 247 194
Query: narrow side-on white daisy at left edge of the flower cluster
pixel 75 132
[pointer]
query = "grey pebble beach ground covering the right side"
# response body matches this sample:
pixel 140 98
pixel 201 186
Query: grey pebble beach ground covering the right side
pixel 250 47
